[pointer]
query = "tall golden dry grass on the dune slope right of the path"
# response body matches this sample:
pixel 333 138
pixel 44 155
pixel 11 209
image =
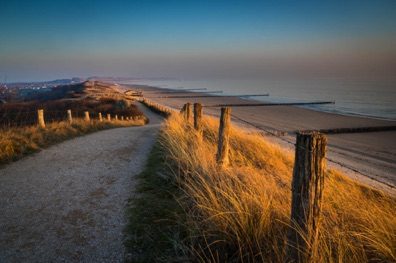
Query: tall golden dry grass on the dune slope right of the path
pixel 242 213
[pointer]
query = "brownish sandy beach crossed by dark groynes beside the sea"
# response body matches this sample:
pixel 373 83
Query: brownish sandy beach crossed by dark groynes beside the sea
pixel 372 154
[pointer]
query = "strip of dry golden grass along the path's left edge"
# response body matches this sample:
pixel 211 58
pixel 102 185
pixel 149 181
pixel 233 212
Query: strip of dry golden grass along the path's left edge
pixel 19 141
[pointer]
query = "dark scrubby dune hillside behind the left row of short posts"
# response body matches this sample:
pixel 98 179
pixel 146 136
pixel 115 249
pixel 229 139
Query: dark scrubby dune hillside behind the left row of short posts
pixel 92 96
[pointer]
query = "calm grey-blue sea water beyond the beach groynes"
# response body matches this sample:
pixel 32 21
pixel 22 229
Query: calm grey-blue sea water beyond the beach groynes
pixel 375 98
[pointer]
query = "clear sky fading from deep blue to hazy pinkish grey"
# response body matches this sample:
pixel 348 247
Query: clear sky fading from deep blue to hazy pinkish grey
pixel 45 40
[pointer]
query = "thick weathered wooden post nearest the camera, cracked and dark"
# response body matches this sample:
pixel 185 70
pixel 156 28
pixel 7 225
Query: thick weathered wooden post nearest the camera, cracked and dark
pixel 307 187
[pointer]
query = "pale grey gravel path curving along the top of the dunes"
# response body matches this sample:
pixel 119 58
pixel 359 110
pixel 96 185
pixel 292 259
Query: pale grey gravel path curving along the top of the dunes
pixel 67 203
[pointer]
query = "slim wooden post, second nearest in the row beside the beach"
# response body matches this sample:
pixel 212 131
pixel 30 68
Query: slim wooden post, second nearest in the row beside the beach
pixel 223 144
